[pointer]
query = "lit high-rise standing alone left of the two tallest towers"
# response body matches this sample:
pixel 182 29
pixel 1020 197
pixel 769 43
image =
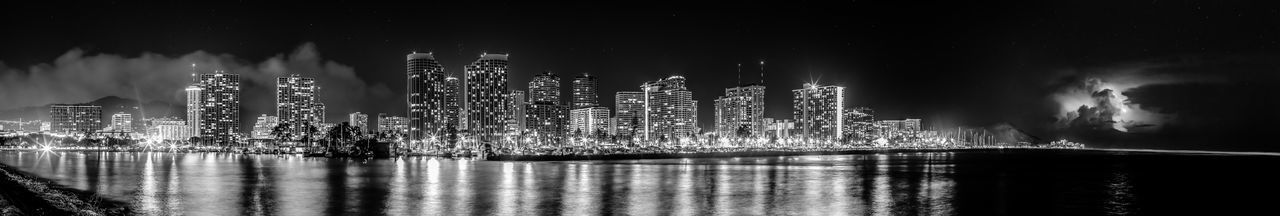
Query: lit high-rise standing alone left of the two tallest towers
pixel 298 103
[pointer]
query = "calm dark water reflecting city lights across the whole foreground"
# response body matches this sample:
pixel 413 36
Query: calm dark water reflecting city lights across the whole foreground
pixel 927 183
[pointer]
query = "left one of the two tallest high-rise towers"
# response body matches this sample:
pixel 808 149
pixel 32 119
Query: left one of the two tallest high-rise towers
pixel 427 98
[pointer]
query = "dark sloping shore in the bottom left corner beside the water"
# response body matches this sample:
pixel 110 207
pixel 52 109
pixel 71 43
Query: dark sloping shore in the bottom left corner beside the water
pixel 24 194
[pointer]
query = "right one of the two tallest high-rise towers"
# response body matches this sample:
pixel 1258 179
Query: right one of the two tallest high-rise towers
pixel 486 95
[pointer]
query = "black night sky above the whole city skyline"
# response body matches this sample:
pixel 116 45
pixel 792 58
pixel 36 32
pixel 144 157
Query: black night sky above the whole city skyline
pixel 1203 73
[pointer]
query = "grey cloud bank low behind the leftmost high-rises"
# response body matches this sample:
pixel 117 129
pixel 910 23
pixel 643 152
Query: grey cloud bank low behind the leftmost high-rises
pixel 80 77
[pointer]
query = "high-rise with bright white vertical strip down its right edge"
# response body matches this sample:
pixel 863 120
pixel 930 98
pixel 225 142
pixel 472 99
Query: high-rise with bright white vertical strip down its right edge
pixel 817 111
